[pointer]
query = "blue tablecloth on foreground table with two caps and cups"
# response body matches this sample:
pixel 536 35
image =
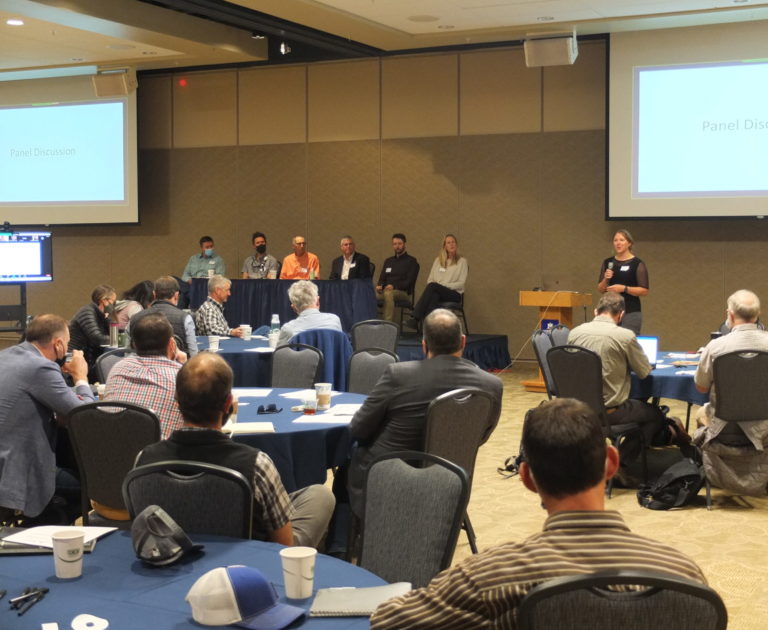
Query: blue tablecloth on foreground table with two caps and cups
pixel 132 596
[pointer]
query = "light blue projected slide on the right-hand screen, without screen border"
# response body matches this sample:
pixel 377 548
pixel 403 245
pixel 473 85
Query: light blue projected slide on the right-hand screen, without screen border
pixel 701 130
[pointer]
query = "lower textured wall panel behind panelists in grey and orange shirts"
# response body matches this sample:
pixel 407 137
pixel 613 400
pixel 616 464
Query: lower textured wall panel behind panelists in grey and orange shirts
pixel 272 198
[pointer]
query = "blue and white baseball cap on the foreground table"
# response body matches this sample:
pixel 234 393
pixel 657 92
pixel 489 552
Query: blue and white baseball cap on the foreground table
pixel 241 596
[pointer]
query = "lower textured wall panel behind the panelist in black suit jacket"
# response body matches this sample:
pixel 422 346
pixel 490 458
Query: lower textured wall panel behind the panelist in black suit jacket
pixel 344 199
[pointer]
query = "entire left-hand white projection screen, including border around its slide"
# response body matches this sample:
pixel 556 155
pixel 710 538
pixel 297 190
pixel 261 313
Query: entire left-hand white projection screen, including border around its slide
pixel 66 156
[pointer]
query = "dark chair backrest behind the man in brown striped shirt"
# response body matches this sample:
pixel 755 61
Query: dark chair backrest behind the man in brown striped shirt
pixel 584 601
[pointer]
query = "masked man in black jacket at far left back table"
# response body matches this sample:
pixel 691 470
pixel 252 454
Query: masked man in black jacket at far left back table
pixel 89 328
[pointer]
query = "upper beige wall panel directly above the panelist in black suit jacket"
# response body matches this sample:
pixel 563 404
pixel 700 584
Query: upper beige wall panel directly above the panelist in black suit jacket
pixel 343 101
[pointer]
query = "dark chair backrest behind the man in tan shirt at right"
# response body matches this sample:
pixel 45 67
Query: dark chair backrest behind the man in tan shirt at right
pixel 577 373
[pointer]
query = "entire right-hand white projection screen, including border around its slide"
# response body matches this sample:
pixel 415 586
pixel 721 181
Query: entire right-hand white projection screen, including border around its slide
pixel 688 123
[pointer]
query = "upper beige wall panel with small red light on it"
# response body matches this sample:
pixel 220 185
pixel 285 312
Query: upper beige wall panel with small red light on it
pixel 205 110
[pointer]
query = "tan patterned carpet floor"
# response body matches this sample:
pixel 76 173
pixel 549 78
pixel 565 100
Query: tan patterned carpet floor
pixel 730 542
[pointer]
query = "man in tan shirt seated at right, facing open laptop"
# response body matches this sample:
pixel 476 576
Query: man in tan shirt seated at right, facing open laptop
pixel 621 354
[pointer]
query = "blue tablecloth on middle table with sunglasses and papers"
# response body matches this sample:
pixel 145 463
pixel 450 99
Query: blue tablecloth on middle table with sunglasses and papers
pixel 302 453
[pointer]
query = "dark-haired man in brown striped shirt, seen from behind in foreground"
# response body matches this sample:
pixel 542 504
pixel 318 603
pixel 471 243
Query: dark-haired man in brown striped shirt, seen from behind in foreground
pixel 567 463
